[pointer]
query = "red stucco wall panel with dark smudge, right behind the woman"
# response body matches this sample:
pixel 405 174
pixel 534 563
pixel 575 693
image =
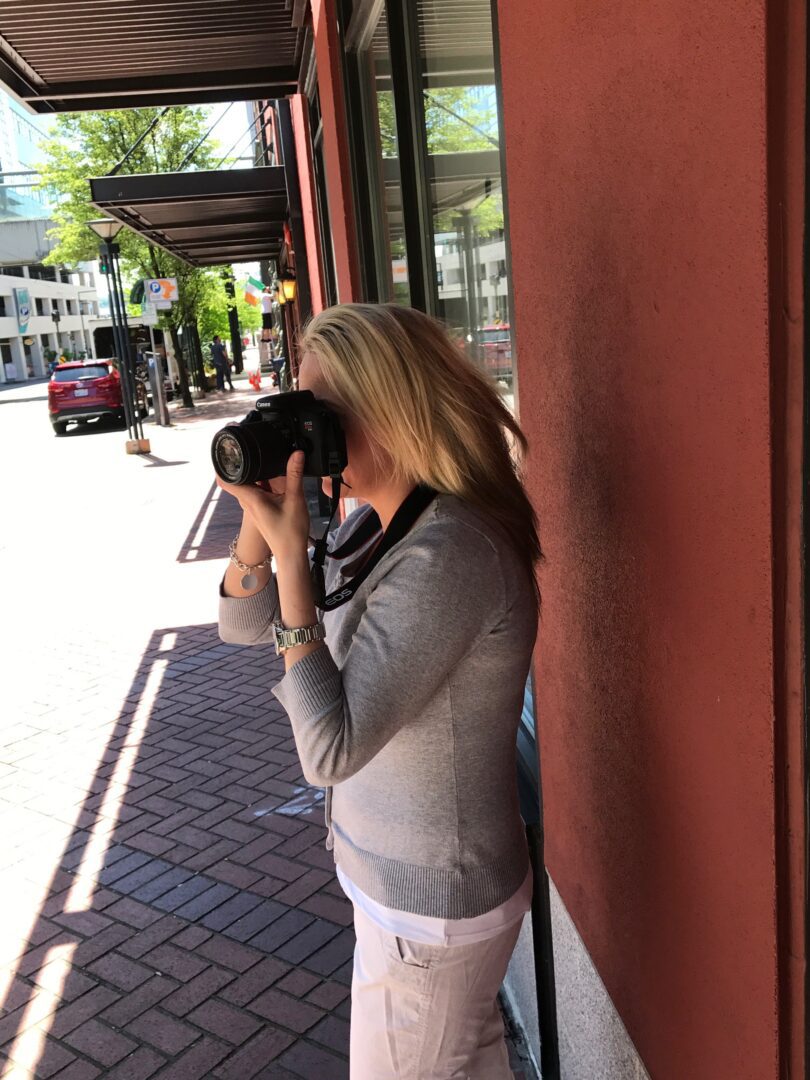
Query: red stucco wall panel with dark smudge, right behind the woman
pixel 637 155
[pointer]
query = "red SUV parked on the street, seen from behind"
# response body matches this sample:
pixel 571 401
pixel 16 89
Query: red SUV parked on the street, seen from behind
pixel 89 390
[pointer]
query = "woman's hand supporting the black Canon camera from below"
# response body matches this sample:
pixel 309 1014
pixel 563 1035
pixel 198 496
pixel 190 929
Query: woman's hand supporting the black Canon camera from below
pixel 279 510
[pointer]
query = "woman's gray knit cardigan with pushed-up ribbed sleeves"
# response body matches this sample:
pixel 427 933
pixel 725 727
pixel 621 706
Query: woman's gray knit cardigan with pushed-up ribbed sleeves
pixel 411 713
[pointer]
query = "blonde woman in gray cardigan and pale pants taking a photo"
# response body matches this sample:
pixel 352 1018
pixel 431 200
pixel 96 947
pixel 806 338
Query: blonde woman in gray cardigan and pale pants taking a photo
pixel 408 712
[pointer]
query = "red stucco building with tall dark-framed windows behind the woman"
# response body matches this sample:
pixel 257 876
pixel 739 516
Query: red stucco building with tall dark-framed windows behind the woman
pixel 623 192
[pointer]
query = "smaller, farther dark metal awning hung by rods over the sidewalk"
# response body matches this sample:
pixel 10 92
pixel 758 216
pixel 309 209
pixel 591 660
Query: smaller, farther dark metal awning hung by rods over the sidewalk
pixel 206 219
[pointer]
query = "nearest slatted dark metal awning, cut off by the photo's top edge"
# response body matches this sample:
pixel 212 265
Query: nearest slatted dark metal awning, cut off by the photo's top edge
pixel 71 56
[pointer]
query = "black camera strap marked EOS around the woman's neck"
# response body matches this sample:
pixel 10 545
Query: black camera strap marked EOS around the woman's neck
pixel 401 524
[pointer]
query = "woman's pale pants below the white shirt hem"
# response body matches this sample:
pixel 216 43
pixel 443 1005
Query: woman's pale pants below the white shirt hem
pixel 428 1012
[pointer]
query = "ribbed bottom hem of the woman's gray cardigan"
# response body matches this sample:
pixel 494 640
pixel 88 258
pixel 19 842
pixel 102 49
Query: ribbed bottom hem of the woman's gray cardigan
pixel 440 894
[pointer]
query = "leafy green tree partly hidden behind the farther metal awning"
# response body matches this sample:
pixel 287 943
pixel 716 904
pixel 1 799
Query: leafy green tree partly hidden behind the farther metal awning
pixel 83 145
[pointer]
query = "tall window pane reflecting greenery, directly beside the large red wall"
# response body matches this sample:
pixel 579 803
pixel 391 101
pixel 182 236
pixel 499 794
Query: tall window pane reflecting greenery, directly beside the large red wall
pixel 467 202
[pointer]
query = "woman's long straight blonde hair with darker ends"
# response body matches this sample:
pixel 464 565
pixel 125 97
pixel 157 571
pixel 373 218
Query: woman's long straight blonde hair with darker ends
pixel 438 418
